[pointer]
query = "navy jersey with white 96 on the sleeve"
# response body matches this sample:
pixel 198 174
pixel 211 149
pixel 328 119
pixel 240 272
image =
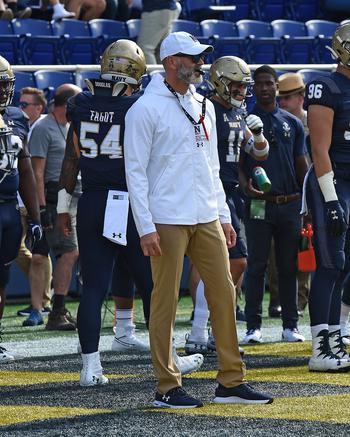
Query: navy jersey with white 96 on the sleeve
pixel 334 92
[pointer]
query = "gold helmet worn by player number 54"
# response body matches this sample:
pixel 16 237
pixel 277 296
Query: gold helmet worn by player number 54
pixel 123 61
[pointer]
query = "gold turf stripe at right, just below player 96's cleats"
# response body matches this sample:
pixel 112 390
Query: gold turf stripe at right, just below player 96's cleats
pixel 299 374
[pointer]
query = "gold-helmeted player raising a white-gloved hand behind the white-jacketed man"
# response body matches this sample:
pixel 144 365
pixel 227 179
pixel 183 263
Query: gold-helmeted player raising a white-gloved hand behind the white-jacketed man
pixel 231 82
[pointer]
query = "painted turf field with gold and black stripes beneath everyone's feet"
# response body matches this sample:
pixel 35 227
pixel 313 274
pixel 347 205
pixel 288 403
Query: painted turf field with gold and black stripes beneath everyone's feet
pixel 40 394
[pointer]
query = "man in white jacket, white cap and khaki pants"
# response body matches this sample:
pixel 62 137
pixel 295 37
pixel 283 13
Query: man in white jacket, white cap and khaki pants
pixel 179 206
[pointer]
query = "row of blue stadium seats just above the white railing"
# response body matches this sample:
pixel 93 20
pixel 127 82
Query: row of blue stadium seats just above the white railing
pixel 39 42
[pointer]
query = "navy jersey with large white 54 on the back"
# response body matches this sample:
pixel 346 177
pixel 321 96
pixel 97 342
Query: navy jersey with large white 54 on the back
pixel 98 122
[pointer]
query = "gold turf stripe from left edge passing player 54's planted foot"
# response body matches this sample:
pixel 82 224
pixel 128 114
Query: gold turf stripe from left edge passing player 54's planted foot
pixel 15 378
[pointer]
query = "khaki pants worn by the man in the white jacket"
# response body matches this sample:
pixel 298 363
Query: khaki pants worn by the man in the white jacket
pixel 206 247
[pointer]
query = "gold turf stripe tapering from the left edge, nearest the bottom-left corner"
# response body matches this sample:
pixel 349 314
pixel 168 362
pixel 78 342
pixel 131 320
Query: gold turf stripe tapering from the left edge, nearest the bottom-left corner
pixel 12 414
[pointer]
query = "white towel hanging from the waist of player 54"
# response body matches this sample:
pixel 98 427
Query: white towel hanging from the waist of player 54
pixel 116 216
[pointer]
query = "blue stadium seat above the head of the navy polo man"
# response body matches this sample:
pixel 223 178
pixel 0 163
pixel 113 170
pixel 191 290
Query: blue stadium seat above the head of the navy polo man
pixel 262 46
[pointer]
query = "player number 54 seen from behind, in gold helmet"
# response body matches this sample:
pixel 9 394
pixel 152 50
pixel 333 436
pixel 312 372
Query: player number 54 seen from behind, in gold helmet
pixel 95 146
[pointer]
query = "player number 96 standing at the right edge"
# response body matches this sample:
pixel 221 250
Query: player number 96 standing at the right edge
pixel 328 197
